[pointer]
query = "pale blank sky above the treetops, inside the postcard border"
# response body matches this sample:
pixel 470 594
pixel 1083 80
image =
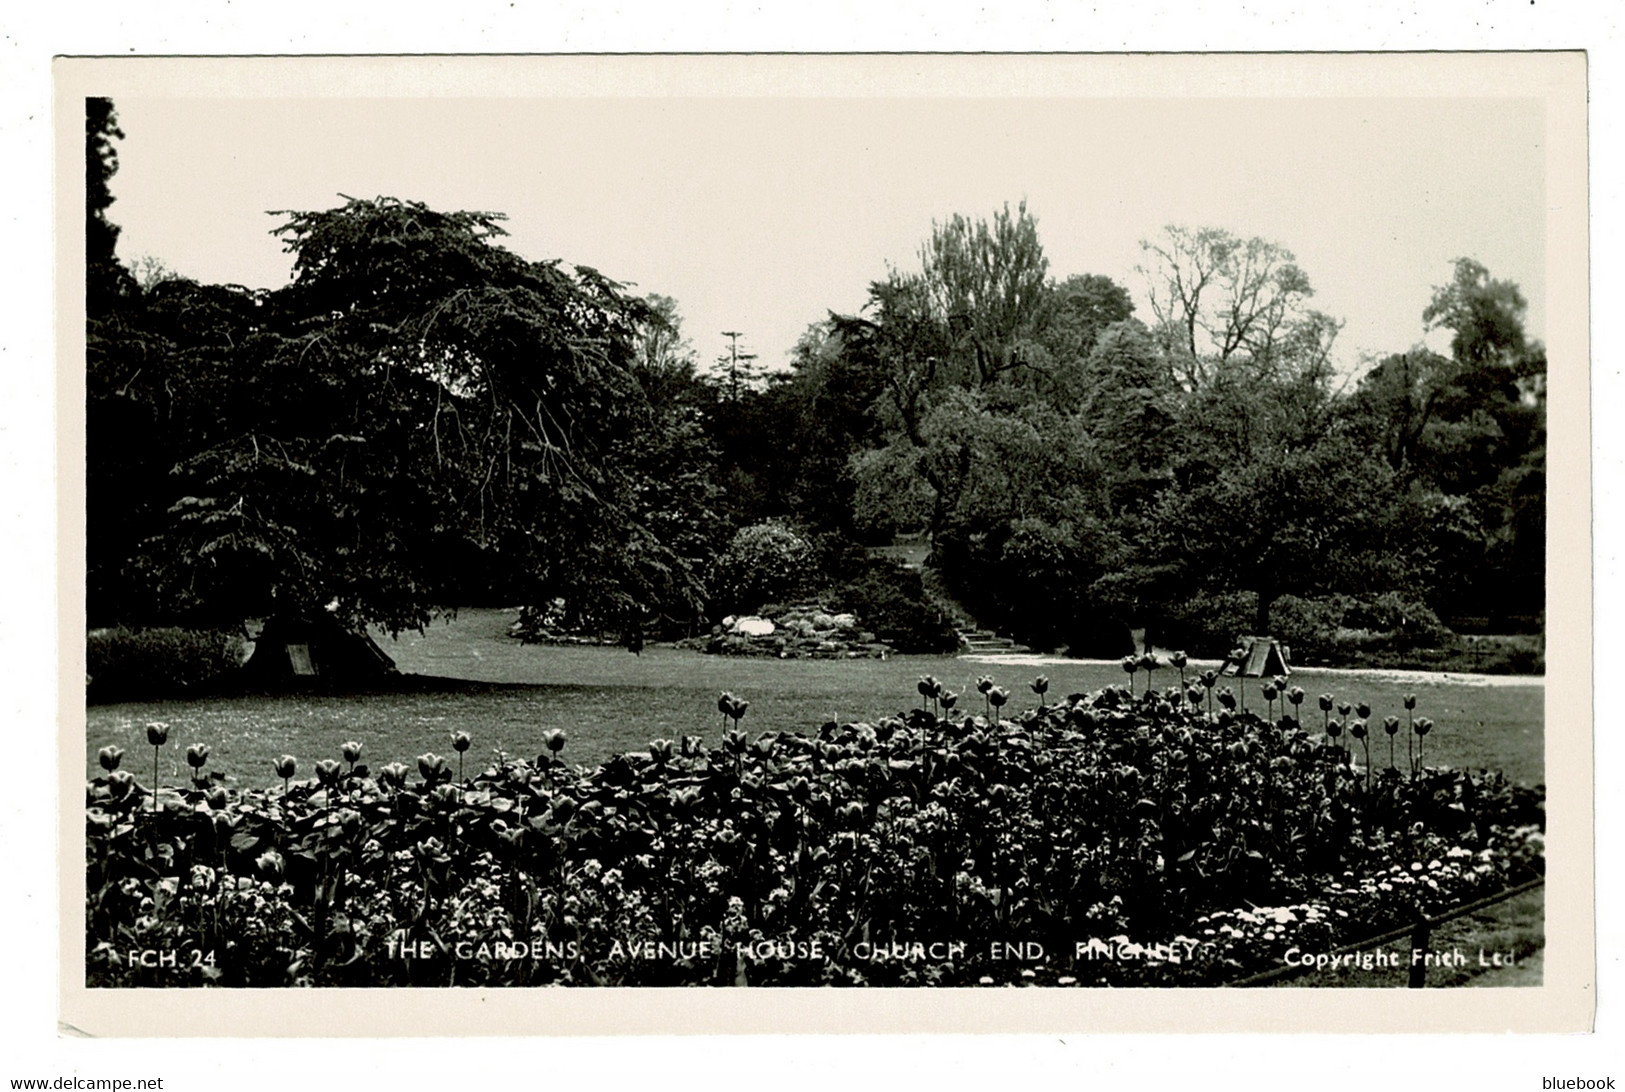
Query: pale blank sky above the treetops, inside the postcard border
pixel 763 214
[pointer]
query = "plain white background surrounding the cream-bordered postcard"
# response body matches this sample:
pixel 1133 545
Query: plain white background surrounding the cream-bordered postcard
pixel 30 1046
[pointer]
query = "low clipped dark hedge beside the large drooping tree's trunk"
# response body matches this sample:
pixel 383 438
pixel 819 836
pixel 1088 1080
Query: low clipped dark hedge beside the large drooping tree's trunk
pixel 139 664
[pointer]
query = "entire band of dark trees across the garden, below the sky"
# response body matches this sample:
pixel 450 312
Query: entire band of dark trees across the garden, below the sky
pixel 423 418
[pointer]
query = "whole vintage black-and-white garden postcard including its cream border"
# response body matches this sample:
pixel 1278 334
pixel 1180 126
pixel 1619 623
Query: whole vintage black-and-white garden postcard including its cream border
pixel 953 524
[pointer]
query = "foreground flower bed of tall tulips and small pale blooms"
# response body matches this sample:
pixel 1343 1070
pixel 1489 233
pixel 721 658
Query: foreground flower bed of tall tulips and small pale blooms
pixel 1103 841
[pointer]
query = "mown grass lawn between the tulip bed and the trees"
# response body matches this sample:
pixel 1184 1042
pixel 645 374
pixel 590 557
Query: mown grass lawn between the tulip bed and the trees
pixel 610 701
